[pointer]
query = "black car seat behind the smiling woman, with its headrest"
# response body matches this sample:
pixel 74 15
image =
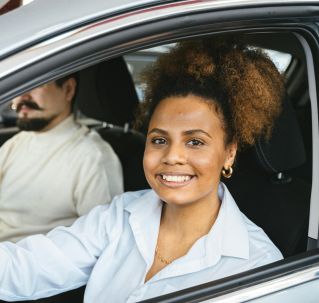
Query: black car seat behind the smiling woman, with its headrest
pixel 267 191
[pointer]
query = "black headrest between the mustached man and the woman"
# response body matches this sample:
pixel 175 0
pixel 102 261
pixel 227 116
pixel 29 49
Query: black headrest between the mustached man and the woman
pixel 106 92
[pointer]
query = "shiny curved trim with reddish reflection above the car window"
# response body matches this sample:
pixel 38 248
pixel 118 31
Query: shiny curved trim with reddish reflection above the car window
pixel 82 34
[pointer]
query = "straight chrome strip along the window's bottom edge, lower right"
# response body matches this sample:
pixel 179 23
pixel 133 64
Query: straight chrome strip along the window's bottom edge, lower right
pixel 268 287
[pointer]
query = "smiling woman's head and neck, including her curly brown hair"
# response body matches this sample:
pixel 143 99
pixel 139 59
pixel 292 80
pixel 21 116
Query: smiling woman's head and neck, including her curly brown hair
pixel 204 99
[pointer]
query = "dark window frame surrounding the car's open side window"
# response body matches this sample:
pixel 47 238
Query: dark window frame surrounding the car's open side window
pixel 133 37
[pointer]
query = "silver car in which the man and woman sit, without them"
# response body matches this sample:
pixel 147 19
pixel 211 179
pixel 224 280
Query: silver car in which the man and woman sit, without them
pixel 110 42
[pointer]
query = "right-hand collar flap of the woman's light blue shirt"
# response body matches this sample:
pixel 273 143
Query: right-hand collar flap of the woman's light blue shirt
pixel 228 237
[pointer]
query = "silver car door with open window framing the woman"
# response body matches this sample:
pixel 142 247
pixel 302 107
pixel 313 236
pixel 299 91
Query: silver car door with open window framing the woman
pixel 122 30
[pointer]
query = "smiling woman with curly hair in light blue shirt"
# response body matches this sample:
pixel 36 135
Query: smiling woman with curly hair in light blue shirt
pixel 204 100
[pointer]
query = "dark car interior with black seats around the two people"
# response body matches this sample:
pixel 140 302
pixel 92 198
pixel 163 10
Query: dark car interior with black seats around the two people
pixel 272 180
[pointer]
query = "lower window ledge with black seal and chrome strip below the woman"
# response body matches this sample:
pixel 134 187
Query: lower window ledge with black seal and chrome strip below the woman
pixel 251 284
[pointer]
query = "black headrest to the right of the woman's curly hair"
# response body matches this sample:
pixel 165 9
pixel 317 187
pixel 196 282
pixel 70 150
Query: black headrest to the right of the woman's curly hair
pixel 285 150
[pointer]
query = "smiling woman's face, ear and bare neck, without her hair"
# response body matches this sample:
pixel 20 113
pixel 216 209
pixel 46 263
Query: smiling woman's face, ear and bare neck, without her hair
pixel 184 155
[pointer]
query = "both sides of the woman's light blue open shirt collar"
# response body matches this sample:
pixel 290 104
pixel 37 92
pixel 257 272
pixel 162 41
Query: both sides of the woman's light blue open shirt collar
pixel 227 237
